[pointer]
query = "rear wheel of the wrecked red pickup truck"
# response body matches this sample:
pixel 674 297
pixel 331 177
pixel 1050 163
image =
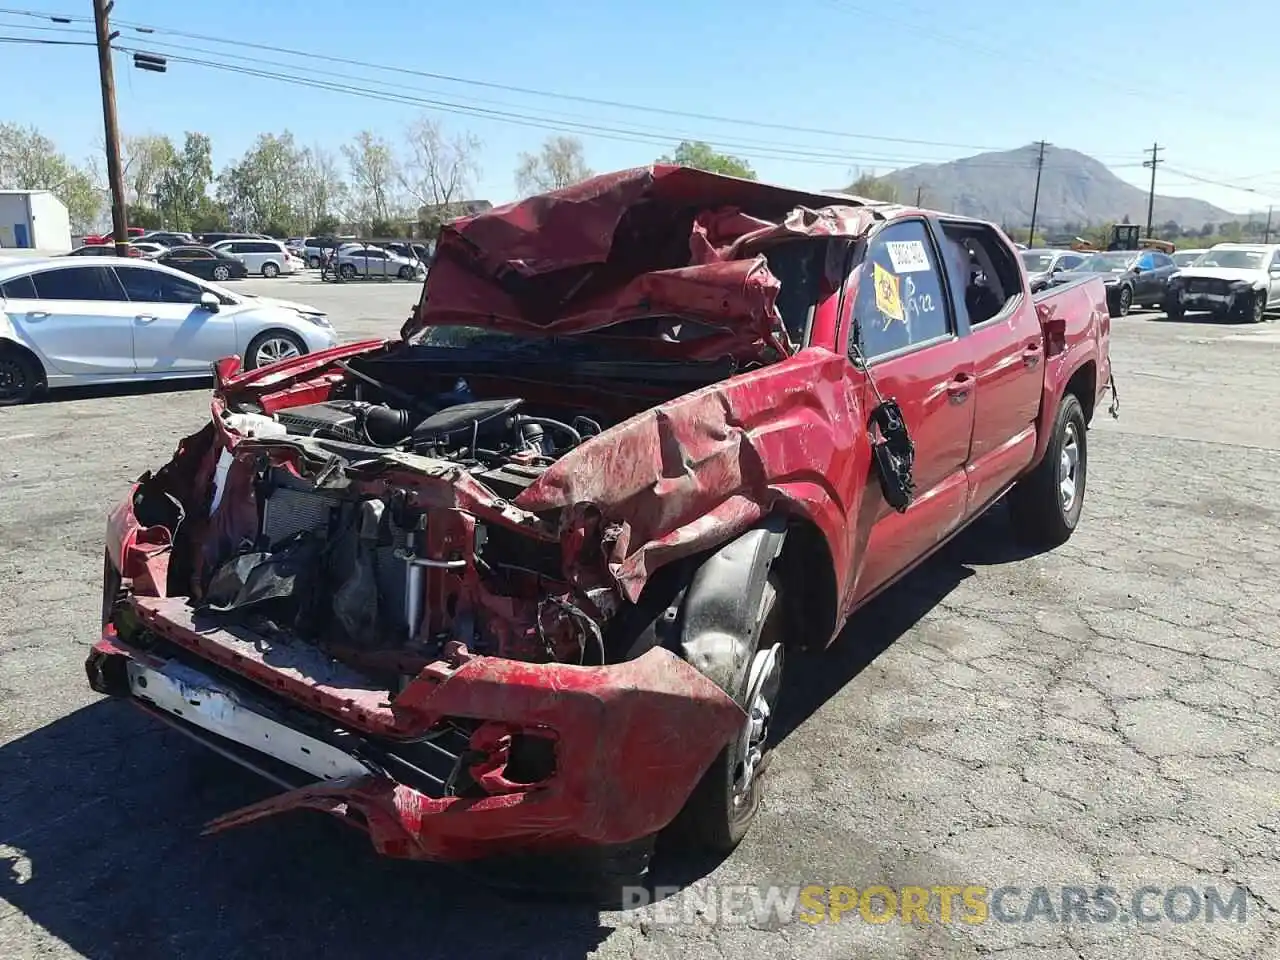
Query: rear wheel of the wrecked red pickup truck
pixel 1046 504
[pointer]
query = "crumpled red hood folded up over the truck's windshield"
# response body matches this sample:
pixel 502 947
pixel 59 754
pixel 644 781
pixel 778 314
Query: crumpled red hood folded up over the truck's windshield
pixel 648 243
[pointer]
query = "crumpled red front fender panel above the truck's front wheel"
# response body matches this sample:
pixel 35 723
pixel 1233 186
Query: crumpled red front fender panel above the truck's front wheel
pixel 693 473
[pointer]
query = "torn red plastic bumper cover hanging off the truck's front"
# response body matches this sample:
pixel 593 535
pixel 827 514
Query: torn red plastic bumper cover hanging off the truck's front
pixel 633 739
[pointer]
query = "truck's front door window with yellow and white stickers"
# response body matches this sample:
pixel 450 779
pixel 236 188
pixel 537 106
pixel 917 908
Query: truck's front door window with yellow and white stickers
pixel 902 300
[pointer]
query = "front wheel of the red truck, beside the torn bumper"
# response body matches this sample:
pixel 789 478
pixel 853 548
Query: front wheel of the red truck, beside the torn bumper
pixel 725 803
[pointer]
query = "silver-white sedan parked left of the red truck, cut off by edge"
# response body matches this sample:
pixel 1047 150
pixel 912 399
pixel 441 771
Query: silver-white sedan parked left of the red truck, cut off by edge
pixel 81 321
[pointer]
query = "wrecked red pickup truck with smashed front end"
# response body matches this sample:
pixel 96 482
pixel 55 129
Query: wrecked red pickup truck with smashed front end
pixel 524 580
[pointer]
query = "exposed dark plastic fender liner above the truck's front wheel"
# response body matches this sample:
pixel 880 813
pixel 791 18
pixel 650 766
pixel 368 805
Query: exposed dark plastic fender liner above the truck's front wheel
pixel 723 605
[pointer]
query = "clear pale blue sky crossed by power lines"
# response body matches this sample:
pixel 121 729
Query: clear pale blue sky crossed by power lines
pixel 1107 79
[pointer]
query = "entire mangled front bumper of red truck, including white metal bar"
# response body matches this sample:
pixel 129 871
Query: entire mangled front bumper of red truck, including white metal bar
pixel 628 743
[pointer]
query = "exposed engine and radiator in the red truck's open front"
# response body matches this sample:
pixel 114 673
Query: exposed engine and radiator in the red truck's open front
pixel 383 583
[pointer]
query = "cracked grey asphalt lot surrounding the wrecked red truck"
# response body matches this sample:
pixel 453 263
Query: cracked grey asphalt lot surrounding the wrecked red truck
pixel 1104 715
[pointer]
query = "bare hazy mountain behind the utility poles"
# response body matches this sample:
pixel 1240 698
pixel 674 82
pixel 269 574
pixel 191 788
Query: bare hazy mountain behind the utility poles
pixel 1076 190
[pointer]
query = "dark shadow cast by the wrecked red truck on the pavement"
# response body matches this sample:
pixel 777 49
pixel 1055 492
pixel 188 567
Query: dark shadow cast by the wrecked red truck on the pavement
pixel 100 839
